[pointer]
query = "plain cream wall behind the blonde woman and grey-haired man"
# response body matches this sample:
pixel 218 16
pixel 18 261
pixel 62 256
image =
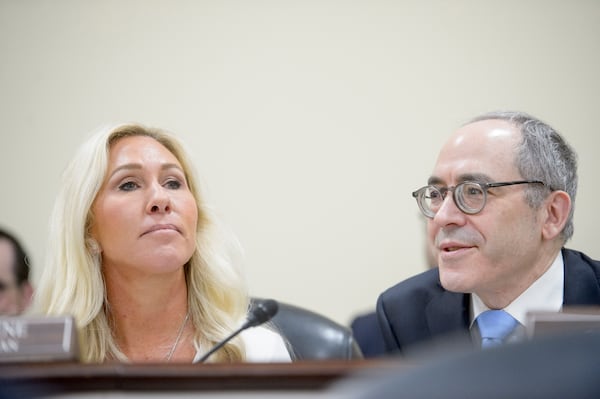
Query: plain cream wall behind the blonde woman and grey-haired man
pixel 310 122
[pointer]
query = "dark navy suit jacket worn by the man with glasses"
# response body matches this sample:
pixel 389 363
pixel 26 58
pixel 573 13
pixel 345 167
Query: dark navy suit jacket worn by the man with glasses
pixel 419 310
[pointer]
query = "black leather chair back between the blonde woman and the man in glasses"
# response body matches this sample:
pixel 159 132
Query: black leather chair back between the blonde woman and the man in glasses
pixel 313 336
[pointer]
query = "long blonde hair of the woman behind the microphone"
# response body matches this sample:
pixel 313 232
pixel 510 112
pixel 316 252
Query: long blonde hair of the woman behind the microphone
pixel 72 281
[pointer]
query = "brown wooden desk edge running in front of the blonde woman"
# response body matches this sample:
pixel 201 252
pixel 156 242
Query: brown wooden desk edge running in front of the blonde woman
pixel 75 377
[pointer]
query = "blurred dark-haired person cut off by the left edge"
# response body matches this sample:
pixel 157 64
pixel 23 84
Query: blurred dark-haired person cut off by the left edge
pixel 15 287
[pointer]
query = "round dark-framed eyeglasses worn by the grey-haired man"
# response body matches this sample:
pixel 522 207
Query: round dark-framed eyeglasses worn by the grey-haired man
pixel 469 197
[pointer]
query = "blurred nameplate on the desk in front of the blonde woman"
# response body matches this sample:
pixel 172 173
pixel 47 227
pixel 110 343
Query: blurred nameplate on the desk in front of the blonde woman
pixel 35 339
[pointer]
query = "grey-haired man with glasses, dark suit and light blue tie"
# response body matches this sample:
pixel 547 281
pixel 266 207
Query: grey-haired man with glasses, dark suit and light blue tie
pixel 500 206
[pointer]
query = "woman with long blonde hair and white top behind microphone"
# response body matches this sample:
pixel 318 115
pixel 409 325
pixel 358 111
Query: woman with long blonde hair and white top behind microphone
pixel 135 257
